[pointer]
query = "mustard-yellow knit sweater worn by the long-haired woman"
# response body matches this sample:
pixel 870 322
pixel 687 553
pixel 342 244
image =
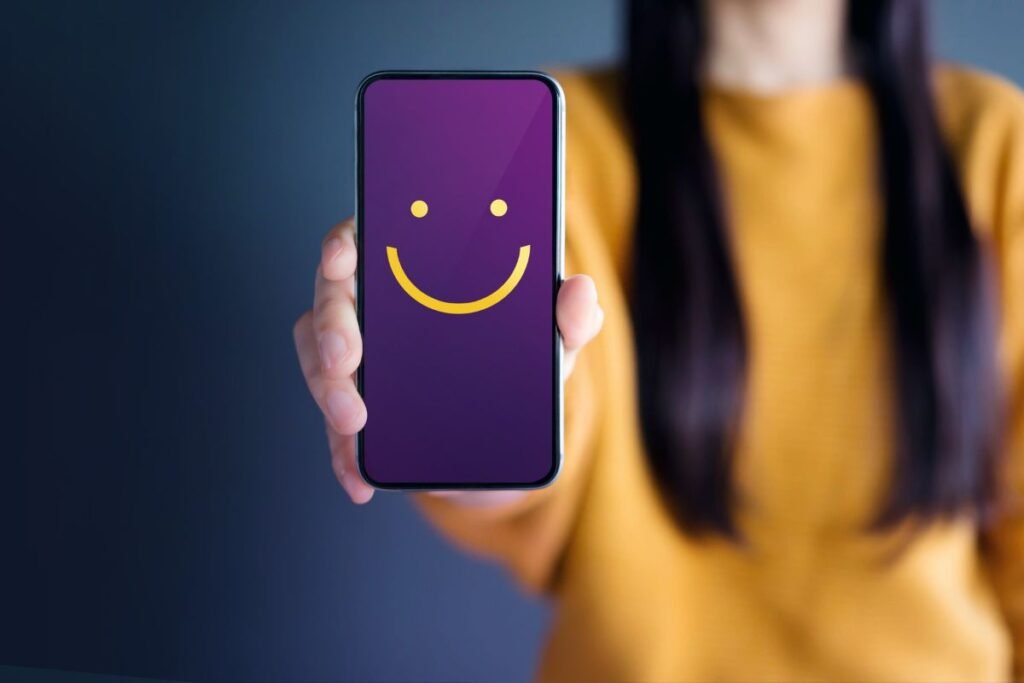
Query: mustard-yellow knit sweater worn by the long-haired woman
pixel 814 597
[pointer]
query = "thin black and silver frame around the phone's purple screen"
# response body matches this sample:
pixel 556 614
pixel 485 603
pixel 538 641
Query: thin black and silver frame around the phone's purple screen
pixel 559 99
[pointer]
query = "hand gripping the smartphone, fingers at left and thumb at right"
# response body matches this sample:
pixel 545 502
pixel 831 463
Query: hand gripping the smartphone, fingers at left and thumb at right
pixel 330 349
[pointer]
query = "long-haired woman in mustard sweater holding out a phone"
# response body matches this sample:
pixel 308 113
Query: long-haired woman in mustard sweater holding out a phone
pixel 790 452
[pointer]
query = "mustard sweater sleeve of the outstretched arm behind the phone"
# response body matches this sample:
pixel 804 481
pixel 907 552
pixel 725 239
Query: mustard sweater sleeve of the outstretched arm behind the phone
pixel 530 536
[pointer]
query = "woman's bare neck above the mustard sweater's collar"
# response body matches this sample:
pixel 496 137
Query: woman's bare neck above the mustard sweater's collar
pixel 775 46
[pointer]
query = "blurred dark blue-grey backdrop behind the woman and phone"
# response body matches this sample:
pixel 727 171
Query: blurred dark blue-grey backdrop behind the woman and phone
pixel 167 507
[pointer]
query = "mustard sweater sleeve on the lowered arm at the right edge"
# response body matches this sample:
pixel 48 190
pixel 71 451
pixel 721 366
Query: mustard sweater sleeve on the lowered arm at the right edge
pixel 1005 541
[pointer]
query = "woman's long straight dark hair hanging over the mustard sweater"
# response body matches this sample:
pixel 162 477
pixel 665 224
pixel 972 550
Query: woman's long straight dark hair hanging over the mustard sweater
pixel 691 335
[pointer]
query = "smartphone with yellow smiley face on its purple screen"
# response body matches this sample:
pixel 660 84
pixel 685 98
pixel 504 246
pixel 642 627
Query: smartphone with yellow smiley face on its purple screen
pixel 460 236
